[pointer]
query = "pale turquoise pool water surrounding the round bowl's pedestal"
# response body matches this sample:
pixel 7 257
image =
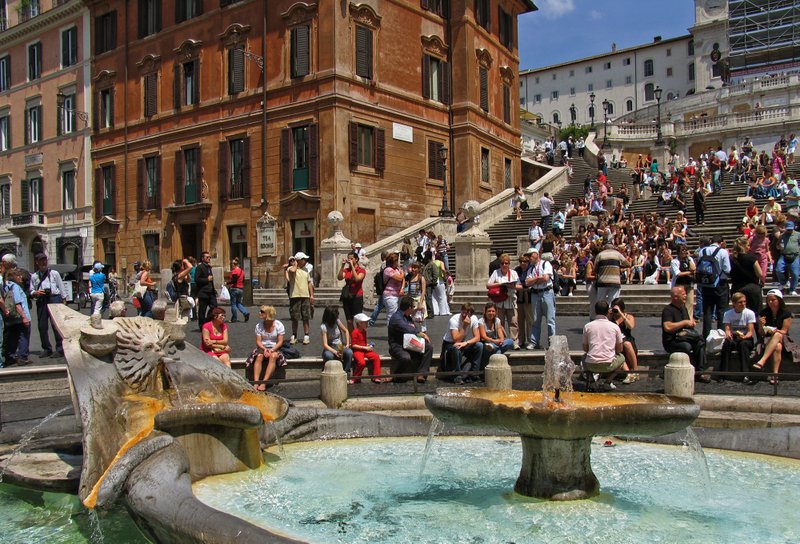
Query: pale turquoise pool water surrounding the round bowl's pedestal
pixel 370 491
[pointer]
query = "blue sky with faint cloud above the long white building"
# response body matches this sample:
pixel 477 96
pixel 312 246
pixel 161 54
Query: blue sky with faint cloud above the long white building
pixel 564 30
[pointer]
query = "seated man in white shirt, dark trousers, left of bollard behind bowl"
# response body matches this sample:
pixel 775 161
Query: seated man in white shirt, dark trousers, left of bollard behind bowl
pixel 462 349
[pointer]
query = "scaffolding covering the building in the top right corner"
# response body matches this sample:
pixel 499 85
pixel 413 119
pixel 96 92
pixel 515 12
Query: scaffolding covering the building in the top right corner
pixel 763 36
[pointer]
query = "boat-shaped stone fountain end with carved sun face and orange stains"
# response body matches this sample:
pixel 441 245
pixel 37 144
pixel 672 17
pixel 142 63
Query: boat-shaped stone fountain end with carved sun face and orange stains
pixel 158 414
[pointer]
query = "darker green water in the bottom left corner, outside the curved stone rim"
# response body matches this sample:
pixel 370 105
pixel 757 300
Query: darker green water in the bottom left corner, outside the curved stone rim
pixel 28 517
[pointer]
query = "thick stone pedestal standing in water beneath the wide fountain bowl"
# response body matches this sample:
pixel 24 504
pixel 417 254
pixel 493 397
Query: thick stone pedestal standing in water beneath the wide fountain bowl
pixel 556 470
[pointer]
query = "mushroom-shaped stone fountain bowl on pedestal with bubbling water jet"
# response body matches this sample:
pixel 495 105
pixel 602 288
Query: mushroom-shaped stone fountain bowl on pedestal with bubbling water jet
pixel 556 425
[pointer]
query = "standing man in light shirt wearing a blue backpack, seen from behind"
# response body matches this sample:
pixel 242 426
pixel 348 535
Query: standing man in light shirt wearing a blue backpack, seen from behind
pixel 712 272
